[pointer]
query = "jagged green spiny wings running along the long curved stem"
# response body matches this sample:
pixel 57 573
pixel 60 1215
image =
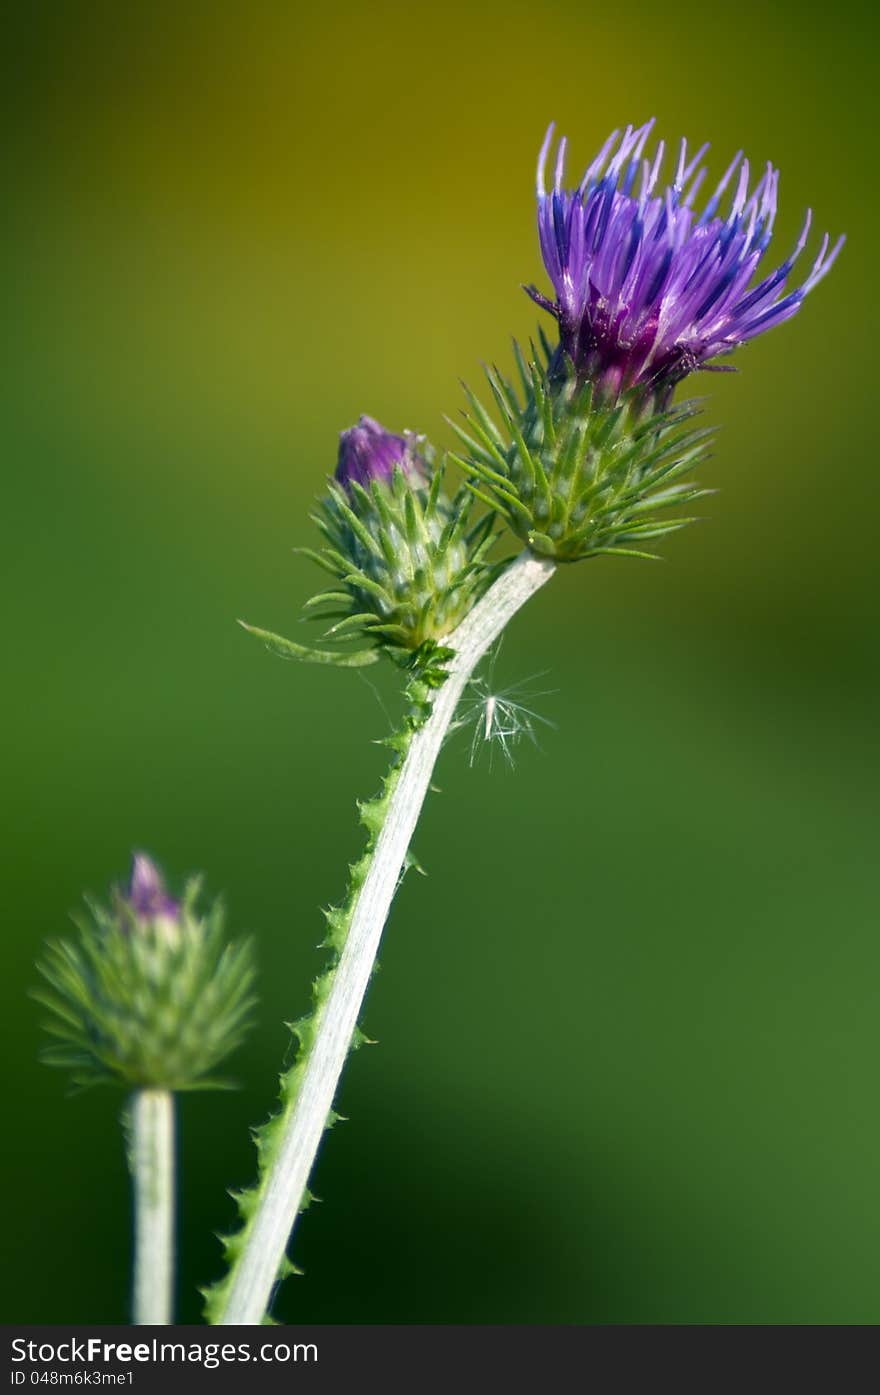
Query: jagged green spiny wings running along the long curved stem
pixel 268 1136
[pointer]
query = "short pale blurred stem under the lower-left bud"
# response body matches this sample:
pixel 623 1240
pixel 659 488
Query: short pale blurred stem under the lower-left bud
pixel 153 1171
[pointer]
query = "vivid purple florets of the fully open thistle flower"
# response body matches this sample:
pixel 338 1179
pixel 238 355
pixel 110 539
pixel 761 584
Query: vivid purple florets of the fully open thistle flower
pixel 648 289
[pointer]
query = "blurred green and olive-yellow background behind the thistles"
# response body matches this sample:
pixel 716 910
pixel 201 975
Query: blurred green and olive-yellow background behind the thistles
pixel 628 1064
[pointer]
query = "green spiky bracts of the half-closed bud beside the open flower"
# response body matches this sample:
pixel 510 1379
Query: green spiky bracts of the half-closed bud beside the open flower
pixel 408 563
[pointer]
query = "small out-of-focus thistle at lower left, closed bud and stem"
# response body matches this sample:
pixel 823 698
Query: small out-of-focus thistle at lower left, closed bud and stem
pixel 150 997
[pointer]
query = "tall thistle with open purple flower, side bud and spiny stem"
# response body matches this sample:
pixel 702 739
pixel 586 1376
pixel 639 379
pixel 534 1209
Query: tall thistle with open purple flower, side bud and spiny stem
pixel 588 457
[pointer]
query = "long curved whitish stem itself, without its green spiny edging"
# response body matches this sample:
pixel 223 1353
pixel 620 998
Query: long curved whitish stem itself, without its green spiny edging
pixel 284 1188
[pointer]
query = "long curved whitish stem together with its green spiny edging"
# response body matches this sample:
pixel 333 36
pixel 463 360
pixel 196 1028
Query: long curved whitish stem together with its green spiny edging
pixel 289 1143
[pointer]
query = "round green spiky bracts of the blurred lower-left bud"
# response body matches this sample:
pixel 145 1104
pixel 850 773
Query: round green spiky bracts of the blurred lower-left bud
pixel 147 1002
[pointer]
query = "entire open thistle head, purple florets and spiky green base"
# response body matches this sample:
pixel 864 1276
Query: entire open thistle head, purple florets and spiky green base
pixel 593 455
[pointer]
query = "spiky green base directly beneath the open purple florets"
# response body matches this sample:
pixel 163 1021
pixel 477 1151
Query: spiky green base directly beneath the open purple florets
pixel 577 476
